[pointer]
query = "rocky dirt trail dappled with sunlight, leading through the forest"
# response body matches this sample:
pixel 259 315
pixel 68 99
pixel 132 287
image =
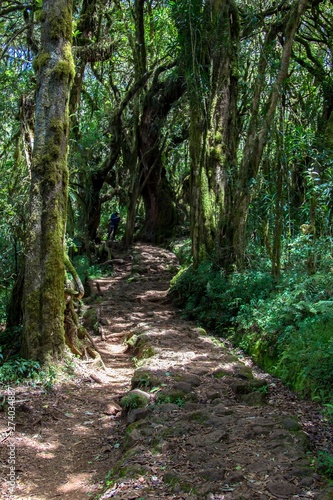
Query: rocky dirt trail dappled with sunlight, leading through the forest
pixel 215 428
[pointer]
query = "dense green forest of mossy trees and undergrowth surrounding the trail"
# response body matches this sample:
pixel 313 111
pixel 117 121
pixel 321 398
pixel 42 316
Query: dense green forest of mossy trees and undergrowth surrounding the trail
pixel 207 124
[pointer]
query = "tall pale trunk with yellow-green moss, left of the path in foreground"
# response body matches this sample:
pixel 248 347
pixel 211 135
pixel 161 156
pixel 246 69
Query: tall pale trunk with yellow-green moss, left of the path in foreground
pixel 44 302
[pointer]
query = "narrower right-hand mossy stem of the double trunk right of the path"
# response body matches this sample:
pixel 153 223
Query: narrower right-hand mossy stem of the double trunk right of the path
pixel 222 137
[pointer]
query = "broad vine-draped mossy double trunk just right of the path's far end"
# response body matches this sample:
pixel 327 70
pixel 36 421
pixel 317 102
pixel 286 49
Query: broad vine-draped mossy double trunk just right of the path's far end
pixel 211 69
